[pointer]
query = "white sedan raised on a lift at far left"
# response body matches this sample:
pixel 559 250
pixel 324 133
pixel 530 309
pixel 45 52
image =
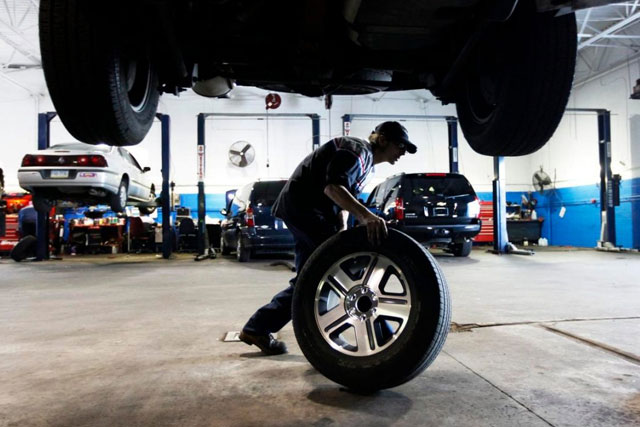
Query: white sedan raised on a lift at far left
pixel 87 173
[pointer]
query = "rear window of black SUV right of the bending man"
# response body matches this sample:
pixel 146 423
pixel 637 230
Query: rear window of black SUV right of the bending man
pixel 421 187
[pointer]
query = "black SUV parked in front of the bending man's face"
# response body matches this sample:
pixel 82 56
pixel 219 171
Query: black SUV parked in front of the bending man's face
pixel 433 208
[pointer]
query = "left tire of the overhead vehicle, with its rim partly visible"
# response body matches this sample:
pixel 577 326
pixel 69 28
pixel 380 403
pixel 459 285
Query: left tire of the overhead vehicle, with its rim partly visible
pixel 101 92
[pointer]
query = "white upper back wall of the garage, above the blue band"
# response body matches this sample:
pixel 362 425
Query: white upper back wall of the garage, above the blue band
pixel 288 141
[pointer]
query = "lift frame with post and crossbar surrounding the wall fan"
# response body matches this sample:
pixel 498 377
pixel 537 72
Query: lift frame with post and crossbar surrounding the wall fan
pixel 202 236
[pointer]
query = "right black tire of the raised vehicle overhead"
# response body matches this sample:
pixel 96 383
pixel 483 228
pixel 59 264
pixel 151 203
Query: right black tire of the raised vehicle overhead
pixel 515 89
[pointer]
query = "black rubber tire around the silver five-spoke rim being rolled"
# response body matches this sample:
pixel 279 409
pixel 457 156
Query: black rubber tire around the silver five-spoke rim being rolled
pixel 406 356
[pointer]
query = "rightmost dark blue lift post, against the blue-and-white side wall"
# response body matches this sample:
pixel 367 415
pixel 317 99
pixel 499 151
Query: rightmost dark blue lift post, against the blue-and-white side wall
pixel 607 207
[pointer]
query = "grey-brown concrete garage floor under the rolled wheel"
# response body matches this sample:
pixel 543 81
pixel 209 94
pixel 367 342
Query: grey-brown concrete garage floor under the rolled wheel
pixel 551 339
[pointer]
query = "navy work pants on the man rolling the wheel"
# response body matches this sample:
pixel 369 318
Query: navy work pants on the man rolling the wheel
pixel 273 316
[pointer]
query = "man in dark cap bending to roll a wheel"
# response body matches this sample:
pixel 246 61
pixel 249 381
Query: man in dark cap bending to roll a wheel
pixel 315 204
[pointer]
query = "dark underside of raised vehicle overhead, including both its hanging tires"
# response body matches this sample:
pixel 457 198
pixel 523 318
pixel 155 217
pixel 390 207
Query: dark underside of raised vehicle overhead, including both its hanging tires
pixel 508 65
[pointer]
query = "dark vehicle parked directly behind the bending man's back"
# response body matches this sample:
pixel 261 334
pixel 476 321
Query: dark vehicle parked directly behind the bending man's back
pixel 249 227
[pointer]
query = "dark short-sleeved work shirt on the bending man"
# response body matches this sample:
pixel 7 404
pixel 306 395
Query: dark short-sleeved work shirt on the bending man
pixel 345 161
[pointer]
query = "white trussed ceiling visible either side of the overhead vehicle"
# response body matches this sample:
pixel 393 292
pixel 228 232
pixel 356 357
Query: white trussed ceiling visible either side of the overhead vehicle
pixel 608 36
